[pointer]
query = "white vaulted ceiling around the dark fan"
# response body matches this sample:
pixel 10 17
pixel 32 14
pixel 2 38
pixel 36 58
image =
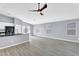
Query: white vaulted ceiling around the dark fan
pixel 54 12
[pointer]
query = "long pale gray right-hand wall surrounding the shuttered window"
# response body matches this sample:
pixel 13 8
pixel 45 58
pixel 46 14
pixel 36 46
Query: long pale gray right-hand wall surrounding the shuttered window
pixel 57 30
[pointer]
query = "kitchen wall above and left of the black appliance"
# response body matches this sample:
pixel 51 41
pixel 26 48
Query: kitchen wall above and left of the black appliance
pixel 5 21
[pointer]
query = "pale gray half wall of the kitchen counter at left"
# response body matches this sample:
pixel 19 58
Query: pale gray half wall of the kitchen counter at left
pixel 8 41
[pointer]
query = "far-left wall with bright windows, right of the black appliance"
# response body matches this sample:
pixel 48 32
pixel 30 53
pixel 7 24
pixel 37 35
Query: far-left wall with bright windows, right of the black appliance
pixel 21 27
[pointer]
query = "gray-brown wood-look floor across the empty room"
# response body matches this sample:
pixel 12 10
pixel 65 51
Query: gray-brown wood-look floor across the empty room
pixel 42 47
